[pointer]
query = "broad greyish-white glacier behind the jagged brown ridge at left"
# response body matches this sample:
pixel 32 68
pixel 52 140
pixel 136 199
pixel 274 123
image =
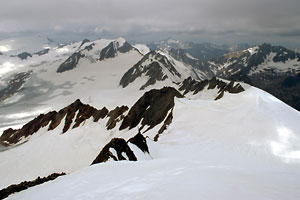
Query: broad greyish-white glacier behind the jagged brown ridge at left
pixel 48 90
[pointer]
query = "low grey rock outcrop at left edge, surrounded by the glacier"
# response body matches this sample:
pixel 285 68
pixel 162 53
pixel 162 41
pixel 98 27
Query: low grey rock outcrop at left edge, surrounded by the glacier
pixel 14 85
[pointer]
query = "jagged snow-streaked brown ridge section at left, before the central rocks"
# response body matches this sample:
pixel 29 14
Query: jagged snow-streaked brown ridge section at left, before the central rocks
pixel 53 119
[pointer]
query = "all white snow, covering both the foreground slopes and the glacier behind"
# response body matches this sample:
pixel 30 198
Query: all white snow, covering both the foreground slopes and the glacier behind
pixel 243 146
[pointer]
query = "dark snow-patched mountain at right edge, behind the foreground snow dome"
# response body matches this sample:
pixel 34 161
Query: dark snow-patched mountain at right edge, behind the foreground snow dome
pixel 274 69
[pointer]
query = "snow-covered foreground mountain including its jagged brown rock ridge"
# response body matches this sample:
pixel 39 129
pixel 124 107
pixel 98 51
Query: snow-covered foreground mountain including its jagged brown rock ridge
pixel 204 140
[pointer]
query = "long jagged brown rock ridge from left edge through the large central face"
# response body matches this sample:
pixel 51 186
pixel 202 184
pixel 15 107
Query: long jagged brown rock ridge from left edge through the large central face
pixel 153 108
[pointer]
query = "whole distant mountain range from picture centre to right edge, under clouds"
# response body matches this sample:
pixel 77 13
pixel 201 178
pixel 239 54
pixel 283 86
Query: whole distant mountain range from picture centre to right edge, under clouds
pixel 274 69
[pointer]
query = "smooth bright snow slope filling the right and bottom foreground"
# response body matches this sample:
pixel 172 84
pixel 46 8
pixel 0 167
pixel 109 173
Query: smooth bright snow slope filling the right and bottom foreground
pixel 243 146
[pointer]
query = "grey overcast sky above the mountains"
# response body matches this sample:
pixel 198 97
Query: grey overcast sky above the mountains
pixel 220 21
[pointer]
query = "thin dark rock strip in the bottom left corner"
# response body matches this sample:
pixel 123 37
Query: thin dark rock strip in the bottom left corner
pixel 27 184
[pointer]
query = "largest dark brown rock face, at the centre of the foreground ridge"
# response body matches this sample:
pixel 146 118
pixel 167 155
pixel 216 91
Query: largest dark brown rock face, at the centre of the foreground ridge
pixel 151 109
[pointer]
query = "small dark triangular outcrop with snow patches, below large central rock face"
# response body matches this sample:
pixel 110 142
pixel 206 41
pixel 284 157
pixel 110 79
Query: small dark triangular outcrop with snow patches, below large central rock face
pixel 120 146
